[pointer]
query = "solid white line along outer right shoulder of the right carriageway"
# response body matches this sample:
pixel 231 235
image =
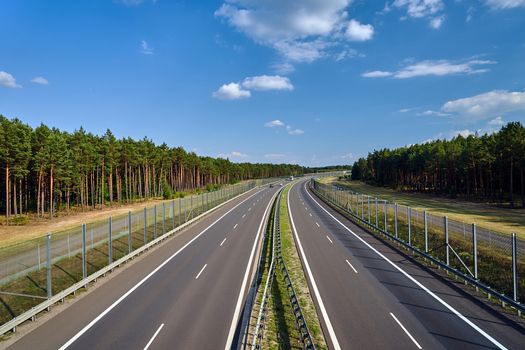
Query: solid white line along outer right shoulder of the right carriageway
pixel 432 294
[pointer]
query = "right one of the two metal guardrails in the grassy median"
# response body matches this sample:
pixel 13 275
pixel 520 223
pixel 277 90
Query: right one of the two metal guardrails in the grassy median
pixel 300 321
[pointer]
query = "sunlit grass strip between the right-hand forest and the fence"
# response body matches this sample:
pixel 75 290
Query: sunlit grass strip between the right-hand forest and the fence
pixel 502 220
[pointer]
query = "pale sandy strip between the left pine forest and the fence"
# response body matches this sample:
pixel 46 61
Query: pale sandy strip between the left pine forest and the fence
pixel 38 227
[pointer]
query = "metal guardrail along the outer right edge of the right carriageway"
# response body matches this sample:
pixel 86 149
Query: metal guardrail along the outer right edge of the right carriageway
pixel 314 186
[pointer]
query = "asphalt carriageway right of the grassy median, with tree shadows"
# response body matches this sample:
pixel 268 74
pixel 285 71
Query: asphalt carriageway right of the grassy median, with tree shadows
pixel 371 296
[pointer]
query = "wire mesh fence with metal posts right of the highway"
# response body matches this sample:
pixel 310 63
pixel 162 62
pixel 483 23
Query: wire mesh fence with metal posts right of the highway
pixel 493 259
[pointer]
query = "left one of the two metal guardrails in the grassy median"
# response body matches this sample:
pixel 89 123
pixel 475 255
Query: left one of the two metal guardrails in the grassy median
pixel 263 310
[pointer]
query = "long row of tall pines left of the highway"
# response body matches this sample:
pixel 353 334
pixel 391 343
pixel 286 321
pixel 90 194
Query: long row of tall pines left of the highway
pixel 44 169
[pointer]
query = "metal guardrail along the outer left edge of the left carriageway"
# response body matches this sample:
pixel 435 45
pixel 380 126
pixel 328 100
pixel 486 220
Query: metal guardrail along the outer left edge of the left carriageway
pixel 31 314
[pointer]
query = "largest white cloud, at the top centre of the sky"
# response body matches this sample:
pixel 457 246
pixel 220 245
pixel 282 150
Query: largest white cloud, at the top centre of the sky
pixel 300 31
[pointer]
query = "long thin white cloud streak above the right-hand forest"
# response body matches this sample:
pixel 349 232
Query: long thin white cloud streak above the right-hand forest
pixel 435 68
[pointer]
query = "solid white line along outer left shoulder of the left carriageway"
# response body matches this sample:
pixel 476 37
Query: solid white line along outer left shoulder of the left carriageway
pixel 125 295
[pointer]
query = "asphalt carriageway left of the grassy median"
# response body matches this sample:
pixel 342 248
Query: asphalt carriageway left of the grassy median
pixel 188 293
